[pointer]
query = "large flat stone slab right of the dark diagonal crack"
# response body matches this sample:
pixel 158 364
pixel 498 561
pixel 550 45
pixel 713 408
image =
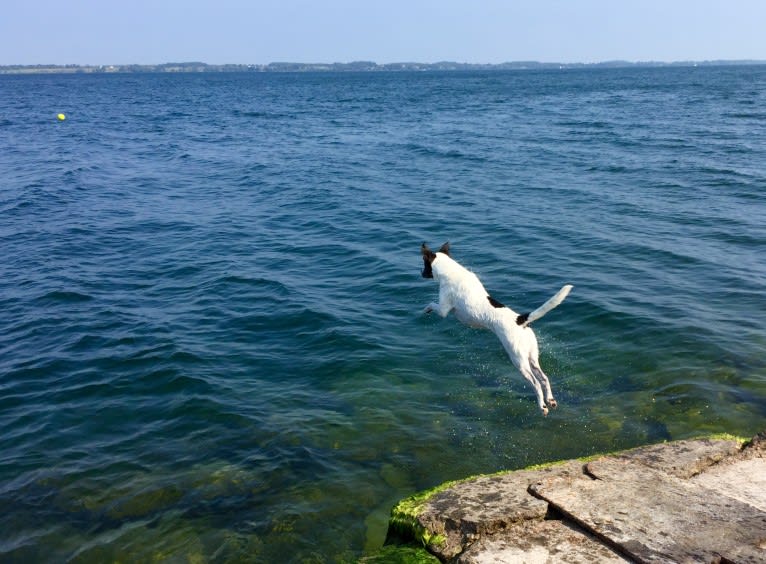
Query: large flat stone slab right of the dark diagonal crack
pixel 654 517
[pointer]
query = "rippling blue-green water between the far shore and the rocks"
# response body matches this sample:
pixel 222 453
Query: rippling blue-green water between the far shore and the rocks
pixel 211 339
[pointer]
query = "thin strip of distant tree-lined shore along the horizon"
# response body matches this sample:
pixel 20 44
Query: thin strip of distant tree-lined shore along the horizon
pixel 357 66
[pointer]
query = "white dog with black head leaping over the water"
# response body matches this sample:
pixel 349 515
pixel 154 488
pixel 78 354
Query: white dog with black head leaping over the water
pixel 460 290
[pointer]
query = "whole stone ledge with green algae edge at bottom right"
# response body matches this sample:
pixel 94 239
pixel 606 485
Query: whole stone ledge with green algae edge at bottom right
pixel 701 500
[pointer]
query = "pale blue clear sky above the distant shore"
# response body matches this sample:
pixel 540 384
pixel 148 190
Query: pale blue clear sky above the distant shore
pixel 102 32
